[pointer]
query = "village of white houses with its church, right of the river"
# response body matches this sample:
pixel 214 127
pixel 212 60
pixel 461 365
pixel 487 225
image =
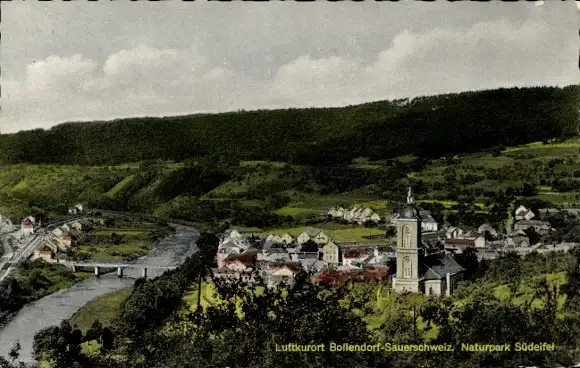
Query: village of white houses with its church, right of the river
pixel 420 260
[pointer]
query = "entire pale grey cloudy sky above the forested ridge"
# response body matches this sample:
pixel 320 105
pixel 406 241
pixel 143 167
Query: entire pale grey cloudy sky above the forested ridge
pixel 78 61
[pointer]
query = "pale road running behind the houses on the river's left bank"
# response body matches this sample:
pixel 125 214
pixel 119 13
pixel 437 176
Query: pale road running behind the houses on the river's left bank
pixel 26 251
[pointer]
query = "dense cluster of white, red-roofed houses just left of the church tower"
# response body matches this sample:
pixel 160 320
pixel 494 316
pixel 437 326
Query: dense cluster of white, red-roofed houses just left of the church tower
pixel 280 258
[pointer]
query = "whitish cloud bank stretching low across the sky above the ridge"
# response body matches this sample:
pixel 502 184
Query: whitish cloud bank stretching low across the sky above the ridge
pixel 149 79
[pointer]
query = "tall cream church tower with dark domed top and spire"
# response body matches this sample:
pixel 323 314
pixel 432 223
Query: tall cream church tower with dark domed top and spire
pixel 408 241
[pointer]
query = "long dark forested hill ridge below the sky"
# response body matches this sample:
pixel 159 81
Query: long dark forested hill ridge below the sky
pixel 425 126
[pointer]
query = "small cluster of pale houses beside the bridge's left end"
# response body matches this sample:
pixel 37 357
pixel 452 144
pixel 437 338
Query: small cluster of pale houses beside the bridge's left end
pixel 58 241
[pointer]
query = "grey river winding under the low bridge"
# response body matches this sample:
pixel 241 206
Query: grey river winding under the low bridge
pixel 54 308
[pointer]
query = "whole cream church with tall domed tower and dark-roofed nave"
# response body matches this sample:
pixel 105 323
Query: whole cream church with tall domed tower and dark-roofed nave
pixel 420 267
